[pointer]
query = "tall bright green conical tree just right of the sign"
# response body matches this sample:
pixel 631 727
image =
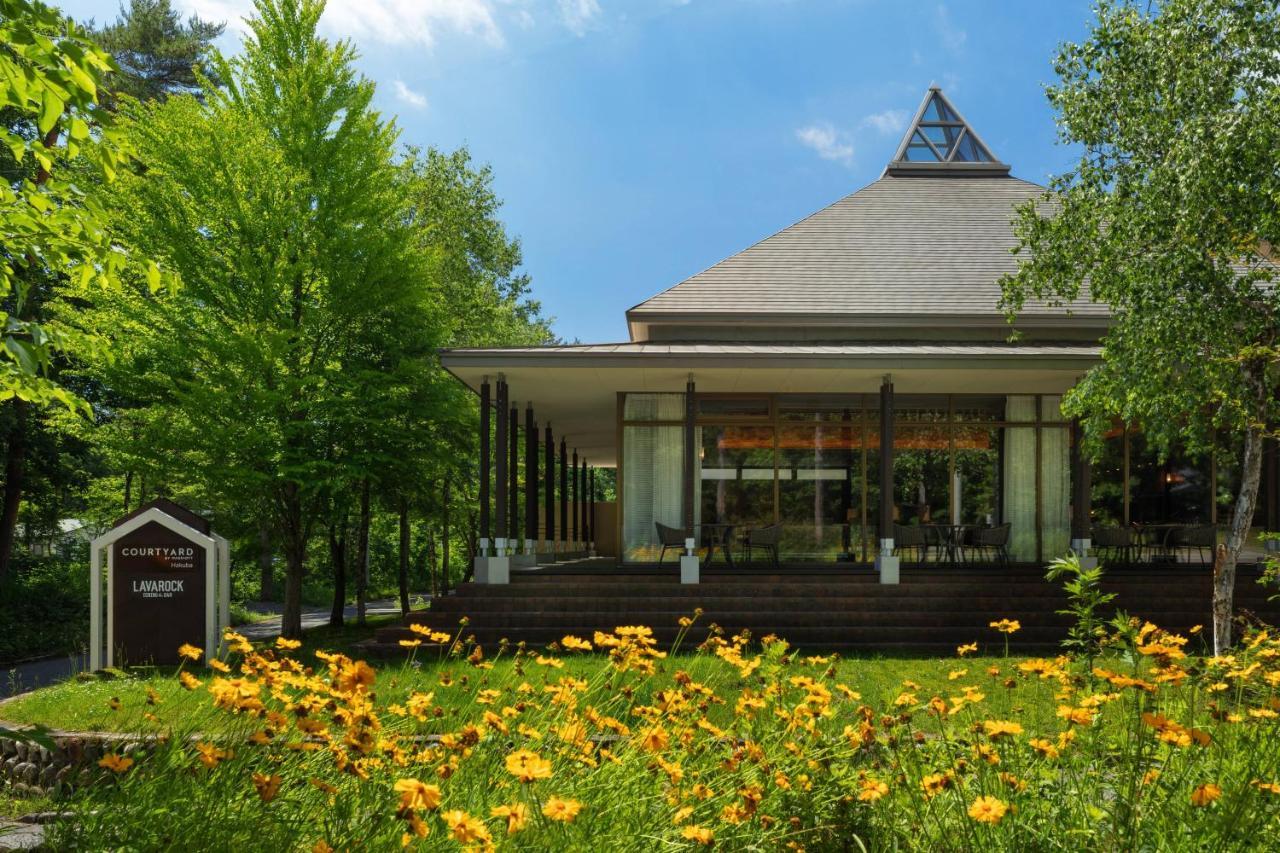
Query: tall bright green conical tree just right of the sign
pixel 280 202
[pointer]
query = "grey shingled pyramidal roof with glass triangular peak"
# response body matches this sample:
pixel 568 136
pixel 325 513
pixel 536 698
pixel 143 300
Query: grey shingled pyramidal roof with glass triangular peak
pixel 926 243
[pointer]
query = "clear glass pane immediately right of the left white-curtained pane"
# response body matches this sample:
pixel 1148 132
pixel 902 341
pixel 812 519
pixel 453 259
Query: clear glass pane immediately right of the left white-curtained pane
pixel 737 476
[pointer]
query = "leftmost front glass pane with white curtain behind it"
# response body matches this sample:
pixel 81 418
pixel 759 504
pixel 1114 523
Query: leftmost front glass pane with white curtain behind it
pixel 652 487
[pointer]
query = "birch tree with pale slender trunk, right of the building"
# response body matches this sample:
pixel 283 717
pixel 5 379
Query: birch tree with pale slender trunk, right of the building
pixel 1171 218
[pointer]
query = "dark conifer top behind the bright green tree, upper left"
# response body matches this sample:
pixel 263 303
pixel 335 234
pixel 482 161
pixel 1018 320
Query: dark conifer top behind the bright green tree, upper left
pixel 156 53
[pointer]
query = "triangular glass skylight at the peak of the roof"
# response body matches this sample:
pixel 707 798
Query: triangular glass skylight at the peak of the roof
pixel 940 142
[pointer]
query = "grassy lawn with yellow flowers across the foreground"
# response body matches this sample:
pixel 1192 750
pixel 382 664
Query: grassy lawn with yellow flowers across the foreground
pixel 738 743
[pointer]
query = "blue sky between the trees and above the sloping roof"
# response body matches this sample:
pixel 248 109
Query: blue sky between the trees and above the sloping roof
pixel 637 143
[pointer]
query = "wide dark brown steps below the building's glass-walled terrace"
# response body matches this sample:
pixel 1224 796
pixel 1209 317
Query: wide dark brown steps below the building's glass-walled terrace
pixel 824 608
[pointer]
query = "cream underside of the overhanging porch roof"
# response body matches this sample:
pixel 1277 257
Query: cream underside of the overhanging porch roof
pixel 582 403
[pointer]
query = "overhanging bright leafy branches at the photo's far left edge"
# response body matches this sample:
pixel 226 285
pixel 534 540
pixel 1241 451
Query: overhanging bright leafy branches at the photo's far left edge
pixel 57 149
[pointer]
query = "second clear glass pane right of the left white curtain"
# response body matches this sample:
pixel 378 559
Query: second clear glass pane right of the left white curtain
pixel 820 489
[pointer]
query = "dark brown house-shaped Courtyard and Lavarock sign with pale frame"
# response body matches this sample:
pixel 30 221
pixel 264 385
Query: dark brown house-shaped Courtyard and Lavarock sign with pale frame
pixel 168 583
